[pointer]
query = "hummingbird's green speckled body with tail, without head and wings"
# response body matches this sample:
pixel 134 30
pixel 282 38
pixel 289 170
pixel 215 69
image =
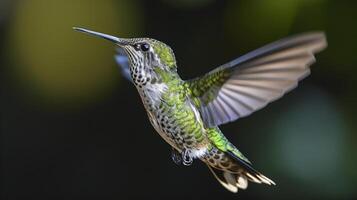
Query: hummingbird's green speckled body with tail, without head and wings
pixel 177 120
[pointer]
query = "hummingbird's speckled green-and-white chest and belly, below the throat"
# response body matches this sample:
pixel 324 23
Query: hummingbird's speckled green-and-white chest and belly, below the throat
pixel 174 118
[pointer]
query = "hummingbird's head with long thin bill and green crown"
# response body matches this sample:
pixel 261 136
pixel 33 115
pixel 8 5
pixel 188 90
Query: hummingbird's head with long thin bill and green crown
pixel 143 53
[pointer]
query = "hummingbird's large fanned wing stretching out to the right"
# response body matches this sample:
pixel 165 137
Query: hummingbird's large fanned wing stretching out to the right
pixel 248 83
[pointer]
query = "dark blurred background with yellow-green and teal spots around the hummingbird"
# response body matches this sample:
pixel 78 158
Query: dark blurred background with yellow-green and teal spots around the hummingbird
pixel 72 127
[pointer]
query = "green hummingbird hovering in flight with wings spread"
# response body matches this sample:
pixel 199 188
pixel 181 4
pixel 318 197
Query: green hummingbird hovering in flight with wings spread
pixel 187 113
